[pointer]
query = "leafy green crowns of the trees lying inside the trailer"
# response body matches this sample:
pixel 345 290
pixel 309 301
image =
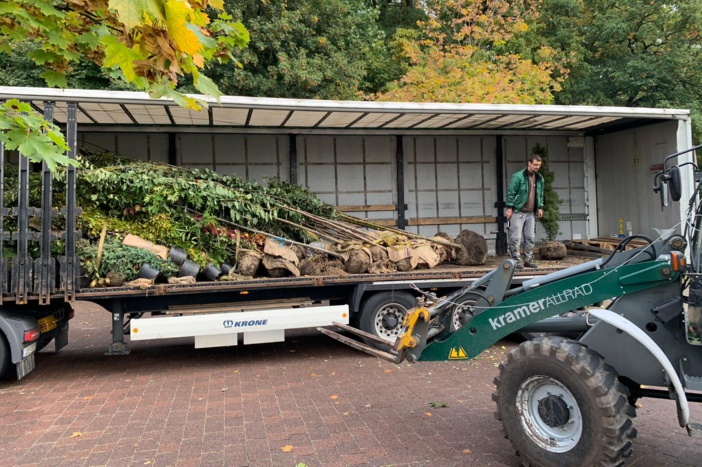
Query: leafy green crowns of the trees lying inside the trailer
pixel 191 200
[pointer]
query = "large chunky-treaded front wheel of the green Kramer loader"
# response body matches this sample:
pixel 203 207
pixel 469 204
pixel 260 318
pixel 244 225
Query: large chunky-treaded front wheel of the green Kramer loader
pixel 560 404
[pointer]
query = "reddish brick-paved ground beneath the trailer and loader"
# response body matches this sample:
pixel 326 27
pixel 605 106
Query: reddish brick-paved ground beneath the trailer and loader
pixel 310 401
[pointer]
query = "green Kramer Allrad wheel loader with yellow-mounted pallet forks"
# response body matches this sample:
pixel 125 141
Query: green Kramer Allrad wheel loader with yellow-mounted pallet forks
pixel 563 401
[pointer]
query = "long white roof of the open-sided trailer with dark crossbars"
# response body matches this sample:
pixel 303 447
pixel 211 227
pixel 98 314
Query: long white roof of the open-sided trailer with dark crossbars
pixel 136 111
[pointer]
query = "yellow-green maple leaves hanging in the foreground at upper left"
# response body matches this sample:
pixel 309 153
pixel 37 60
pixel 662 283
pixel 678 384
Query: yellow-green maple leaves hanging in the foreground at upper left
pixel 147 44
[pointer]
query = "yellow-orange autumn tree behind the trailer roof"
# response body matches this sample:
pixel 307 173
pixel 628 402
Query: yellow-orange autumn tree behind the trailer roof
pixel 478 51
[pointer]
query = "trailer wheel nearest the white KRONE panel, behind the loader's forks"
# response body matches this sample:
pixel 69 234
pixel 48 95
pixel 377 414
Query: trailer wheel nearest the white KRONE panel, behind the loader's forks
pixel 383 312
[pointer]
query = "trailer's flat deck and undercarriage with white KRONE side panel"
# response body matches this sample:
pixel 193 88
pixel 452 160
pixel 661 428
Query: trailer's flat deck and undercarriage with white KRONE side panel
pixel 226 313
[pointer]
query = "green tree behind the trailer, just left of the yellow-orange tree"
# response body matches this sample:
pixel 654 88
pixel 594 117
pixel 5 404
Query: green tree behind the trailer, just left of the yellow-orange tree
pixel 304 48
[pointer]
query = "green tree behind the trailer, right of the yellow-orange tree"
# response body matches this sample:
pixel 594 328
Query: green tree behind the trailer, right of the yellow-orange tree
pixel 629 53
